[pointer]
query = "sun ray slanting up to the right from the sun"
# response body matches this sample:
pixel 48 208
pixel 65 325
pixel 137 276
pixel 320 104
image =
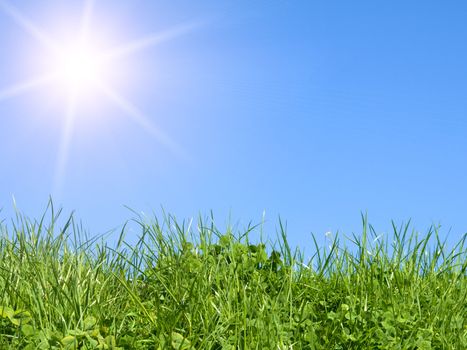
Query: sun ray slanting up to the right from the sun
pixel 148 41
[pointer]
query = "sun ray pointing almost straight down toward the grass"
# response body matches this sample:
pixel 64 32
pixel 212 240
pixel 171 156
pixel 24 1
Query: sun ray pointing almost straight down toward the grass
pixel 64 148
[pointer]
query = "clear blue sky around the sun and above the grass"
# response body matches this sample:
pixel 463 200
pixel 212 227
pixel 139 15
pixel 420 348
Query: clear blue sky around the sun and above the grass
pixel 312 110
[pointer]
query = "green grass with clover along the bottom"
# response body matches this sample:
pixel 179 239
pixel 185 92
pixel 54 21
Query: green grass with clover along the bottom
pixel 192 287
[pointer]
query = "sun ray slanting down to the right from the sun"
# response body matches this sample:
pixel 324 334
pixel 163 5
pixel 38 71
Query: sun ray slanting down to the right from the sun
pixel 137 116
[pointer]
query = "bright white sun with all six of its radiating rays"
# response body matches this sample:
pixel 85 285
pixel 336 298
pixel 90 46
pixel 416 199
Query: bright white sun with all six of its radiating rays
pixel 85 68
